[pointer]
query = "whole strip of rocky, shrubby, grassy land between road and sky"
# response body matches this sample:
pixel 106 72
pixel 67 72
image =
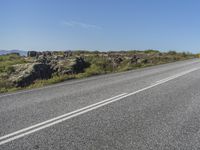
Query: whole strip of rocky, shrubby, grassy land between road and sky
pixel 44 68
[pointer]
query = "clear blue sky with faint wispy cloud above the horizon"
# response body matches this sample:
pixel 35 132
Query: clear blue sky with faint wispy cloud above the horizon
pixel 100 24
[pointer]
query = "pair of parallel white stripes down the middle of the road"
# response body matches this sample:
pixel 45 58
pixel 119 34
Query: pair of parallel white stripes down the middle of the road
pixel 95 106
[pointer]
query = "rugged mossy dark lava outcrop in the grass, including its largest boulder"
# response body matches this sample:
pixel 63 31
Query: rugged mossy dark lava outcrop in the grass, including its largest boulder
pixel 43 68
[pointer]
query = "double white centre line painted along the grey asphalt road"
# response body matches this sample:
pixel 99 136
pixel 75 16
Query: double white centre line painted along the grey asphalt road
pixel 26 131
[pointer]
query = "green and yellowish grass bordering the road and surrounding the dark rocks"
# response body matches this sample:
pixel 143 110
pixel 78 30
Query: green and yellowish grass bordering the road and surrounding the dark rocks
pixel 99 65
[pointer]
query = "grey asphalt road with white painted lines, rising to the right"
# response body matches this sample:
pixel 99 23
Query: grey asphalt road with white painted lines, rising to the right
pixel 151 108
